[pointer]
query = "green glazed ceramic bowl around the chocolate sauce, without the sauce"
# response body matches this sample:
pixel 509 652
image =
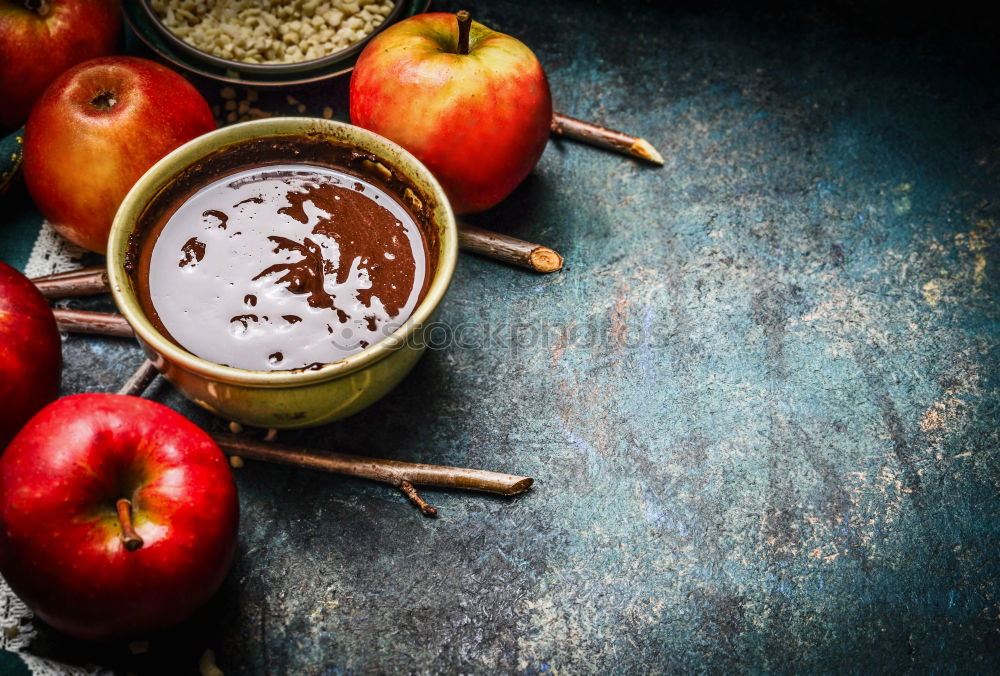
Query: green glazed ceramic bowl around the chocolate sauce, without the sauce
pixel 285 399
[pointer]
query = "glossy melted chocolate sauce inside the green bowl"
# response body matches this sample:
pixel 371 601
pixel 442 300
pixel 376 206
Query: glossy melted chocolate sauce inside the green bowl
pixel 283 267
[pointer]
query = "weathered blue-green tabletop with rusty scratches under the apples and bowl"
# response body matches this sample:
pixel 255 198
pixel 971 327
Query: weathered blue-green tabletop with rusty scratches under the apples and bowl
pixel 760 402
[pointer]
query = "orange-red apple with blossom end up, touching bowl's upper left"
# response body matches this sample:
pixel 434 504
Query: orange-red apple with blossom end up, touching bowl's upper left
pixel 96 130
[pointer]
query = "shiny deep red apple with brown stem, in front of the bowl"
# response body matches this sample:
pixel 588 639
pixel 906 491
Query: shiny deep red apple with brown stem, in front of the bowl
pixel 118 516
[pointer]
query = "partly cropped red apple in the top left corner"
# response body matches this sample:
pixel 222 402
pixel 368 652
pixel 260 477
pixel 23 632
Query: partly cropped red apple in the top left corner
pixel 39 39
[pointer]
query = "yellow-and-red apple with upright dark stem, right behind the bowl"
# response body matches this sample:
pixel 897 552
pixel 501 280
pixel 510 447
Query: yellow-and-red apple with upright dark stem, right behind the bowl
pixel 478 120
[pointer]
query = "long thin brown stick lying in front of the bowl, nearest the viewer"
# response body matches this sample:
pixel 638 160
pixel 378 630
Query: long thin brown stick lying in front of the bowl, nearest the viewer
pixel 392 472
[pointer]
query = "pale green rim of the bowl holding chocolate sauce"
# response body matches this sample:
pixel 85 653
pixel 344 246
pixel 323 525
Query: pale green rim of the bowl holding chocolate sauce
pixel 160 174
